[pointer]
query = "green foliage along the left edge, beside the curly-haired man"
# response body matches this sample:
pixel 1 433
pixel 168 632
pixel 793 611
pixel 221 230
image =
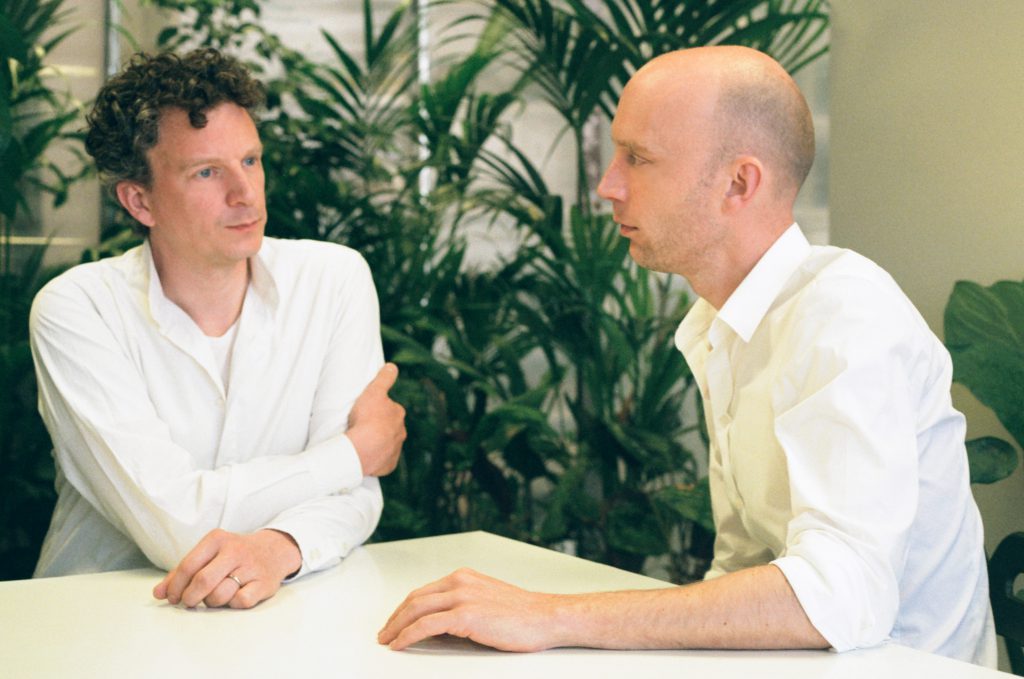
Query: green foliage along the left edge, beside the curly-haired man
pixel 34 116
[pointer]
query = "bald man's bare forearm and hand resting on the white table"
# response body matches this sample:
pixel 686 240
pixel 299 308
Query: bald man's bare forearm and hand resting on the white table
pixel 754 609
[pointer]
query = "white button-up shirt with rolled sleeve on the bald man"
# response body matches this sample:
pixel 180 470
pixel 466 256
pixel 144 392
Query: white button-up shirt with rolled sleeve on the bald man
pixel 836 453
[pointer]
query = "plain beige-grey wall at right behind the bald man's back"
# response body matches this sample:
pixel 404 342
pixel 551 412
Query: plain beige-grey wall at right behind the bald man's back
pixel 927 140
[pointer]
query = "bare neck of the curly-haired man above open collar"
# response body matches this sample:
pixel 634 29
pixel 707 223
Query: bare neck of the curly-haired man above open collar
pixel 212 299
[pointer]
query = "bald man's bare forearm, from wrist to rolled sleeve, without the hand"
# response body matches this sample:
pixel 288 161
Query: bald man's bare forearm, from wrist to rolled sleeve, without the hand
pixel 752 609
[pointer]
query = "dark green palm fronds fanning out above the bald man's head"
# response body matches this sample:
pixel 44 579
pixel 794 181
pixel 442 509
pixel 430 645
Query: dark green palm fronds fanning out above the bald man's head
pixel 579 56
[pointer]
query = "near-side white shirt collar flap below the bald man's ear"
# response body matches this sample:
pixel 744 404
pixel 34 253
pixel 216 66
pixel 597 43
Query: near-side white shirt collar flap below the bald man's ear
pixel 750 303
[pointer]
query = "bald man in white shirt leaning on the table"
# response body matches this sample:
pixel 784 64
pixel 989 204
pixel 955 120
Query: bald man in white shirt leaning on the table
pixel 839 476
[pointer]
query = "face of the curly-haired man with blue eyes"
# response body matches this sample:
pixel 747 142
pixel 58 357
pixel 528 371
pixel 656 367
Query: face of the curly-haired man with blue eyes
pixel 205 206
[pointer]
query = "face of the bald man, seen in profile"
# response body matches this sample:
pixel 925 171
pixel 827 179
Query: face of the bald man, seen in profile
pixel 663 182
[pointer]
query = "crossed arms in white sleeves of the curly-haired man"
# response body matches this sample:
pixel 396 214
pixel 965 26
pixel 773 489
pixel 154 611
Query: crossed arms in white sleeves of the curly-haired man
pixel 119 454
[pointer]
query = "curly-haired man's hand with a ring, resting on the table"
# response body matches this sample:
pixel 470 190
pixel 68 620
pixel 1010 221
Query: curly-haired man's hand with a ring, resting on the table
pixel 261 562
